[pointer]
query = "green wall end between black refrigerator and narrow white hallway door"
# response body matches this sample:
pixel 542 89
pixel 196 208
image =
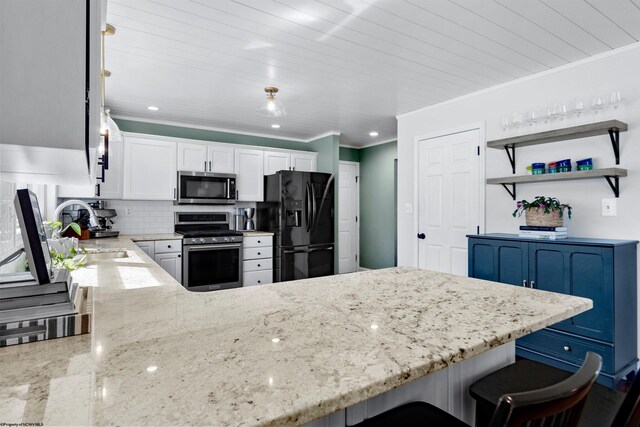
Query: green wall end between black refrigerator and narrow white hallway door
pixel 328 149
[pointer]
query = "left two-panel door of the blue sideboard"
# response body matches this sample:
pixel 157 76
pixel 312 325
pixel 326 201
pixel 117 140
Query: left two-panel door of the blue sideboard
pixel 498 260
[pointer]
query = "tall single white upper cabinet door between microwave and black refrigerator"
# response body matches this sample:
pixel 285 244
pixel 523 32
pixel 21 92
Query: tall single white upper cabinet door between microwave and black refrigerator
pixel 250 176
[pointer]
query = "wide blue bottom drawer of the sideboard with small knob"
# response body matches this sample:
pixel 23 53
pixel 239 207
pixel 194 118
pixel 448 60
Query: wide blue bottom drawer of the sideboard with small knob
pixel 568 348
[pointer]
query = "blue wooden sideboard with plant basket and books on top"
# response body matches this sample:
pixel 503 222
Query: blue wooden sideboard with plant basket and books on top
pixel 602 270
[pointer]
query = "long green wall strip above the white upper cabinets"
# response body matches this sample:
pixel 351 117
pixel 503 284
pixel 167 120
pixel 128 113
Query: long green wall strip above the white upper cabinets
pixel 208 135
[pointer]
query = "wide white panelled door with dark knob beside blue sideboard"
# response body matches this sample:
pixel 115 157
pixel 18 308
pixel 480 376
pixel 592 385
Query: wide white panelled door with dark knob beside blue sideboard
pixel 449 192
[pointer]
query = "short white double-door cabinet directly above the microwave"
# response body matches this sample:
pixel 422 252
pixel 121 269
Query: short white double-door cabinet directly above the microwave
pixel 205 157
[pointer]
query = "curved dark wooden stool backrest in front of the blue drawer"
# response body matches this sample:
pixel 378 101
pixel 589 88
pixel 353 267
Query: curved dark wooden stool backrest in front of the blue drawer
pixel 558 405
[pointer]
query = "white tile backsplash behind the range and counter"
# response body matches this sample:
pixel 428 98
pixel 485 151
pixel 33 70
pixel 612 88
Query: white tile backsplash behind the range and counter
pixel 153 217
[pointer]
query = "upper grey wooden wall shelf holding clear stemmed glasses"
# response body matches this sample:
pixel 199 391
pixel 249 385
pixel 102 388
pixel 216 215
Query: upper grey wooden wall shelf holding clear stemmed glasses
pixel 573 132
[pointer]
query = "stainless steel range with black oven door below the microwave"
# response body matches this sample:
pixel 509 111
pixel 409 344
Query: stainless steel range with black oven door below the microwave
pixel 211 252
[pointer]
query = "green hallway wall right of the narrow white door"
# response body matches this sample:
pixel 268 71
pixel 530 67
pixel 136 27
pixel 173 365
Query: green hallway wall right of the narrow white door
pixel 378 206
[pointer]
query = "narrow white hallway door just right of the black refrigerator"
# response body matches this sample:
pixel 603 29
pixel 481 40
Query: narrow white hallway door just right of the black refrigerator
pixel 348 211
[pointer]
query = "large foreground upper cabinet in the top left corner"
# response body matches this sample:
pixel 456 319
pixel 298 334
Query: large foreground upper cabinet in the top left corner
pixel 49 90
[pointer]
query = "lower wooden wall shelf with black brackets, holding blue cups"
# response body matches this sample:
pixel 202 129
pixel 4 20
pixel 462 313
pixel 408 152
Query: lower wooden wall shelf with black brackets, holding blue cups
pixel 612 176
